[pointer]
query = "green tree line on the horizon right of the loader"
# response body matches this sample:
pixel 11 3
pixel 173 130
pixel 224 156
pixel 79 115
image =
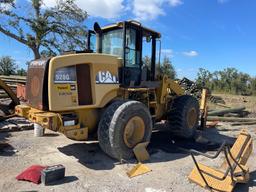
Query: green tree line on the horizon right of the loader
pixel 228 80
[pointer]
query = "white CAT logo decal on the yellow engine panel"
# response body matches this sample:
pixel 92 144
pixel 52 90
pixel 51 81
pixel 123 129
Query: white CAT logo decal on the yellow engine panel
pixel 105 77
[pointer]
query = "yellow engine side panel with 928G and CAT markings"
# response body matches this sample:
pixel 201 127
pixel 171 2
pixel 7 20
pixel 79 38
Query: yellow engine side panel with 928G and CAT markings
pixel 80 81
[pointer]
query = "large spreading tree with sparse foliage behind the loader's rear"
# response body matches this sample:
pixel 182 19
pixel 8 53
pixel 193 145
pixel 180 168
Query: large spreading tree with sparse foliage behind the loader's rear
pixel 48 30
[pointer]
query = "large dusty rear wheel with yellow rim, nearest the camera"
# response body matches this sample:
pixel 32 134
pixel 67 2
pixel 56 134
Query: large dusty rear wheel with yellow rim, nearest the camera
pixel 112 129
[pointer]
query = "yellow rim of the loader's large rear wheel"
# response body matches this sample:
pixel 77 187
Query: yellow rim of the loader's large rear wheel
pixel 134 131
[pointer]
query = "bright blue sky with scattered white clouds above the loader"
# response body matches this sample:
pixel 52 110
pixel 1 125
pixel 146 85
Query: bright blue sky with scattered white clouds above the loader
pixel 212 34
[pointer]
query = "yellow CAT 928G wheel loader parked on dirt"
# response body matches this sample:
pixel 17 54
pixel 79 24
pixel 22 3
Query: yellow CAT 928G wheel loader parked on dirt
pixel 108 89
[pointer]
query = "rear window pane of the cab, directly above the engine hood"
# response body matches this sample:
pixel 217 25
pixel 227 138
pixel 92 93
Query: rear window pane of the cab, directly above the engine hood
pixel 112 42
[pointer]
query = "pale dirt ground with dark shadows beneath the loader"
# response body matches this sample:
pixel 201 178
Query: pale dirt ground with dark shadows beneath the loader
pixel 89 169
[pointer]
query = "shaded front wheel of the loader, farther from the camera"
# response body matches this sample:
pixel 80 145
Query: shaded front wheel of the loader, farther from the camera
pixel 183 116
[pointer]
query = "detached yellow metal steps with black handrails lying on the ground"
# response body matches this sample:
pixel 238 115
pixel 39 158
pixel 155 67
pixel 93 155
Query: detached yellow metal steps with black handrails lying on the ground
pixel 236 170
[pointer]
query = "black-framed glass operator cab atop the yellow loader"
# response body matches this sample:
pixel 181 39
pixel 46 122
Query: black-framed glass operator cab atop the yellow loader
pixel 126 40
